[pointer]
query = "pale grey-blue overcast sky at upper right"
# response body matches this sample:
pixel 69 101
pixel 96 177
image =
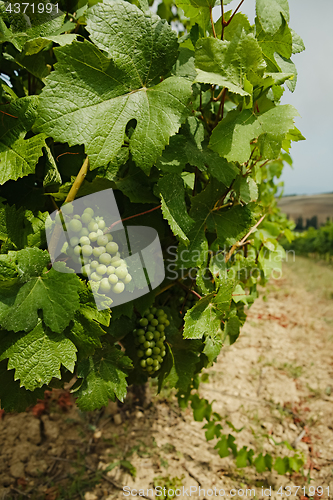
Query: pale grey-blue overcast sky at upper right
pixel 313 98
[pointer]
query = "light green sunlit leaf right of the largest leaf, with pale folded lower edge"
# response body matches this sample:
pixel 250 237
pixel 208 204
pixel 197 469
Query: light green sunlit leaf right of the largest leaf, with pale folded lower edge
pixel 226 63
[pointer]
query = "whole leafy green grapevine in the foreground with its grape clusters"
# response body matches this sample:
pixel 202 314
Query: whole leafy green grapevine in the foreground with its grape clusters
pixel 189 133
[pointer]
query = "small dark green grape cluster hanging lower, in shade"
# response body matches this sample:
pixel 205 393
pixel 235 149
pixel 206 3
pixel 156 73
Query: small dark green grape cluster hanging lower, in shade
pixel 150 339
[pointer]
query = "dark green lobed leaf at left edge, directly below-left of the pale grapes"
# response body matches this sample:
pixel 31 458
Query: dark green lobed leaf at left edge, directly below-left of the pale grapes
pixel 55 292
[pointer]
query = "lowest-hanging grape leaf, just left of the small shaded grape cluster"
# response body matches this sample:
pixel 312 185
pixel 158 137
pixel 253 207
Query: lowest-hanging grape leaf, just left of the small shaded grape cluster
pixel 104 377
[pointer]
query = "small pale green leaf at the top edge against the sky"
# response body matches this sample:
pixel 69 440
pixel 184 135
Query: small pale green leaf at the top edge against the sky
pixel 271 14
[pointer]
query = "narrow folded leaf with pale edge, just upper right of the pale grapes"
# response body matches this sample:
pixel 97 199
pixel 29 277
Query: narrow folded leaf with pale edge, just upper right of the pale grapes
pixel 174 209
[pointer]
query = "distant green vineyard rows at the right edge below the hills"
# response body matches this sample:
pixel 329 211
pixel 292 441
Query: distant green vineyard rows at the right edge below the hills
pixel 314 242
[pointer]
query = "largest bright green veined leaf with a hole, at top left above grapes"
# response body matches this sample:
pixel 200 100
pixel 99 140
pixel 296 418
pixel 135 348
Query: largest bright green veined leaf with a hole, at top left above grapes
pixel 90 98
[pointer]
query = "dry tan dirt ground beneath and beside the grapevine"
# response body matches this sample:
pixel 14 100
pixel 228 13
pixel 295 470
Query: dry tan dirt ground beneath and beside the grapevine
pixel 276 381
